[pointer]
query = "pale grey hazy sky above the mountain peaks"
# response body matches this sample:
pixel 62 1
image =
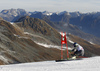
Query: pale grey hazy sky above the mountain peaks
pixel 52 5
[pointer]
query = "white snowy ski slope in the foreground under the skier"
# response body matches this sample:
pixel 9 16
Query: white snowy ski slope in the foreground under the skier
pixel 87 64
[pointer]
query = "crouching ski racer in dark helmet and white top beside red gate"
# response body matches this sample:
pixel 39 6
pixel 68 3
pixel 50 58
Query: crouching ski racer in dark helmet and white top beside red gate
pixel 78 50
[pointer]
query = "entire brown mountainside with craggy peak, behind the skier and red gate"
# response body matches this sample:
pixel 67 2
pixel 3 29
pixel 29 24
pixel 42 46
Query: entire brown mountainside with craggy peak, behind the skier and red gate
pixel 19 42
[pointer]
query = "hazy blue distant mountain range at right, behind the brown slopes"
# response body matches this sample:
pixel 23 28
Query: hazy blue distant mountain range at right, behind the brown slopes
pixel 76 18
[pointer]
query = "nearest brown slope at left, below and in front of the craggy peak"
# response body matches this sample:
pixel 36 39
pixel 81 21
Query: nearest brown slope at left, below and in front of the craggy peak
pixel 18 47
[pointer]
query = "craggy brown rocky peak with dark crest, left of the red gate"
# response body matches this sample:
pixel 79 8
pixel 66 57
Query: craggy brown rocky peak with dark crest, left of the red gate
pixel 34 25
